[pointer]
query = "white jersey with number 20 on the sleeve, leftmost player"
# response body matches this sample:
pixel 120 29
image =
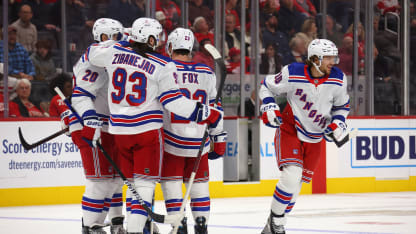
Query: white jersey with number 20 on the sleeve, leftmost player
pixel 90 88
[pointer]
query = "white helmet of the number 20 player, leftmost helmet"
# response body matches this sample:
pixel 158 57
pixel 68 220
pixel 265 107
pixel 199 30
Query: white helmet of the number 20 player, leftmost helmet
pixel 107 26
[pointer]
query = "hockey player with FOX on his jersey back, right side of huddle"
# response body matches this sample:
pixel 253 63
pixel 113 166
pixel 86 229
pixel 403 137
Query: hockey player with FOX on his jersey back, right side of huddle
pixel 183 137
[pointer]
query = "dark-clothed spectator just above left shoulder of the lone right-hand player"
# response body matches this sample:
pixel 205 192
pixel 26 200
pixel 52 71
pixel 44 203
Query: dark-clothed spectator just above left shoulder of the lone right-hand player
pixel 271 61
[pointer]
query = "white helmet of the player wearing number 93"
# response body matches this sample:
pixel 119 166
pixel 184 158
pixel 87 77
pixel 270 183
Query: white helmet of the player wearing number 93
pixel 144 28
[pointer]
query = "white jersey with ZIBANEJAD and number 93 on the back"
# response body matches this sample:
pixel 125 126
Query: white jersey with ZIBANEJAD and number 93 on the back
pixel 138 88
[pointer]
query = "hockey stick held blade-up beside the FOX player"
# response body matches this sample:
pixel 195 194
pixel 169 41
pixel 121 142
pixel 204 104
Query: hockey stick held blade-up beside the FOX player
pixel 220 62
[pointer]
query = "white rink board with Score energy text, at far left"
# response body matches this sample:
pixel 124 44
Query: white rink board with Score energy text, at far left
pixel 54 163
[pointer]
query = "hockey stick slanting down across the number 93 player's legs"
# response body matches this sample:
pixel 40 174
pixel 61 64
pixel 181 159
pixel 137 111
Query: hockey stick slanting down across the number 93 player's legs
pixel 156 217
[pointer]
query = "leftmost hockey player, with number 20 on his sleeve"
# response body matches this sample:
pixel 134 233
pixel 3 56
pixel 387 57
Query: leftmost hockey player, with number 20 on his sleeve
pixel 103 189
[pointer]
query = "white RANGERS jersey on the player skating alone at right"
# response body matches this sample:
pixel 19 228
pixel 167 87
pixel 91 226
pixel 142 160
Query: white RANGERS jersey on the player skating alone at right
pixel 314 102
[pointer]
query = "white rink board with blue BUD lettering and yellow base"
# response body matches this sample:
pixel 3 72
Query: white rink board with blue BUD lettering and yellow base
pixel 381 158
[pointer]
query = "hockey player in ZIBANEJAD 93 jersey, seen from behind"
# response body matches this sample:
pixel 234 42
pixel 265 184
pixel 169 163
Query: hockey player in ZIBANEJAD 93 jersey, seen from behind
pixel 141 83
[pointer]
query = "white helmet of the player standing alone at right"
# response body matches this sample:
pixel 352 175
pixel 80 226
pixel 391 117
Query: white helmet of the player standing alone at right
pixel 321 48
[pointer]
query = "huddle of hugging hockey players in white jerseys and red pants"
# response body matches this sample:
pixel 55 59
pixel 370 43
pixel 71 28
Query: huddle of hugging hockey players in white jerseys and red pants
pixel 148 112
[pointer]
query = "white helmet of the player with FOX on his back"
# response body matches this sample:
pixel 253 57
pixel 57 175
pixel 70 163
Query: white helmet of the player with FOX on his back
pixel 180 38
